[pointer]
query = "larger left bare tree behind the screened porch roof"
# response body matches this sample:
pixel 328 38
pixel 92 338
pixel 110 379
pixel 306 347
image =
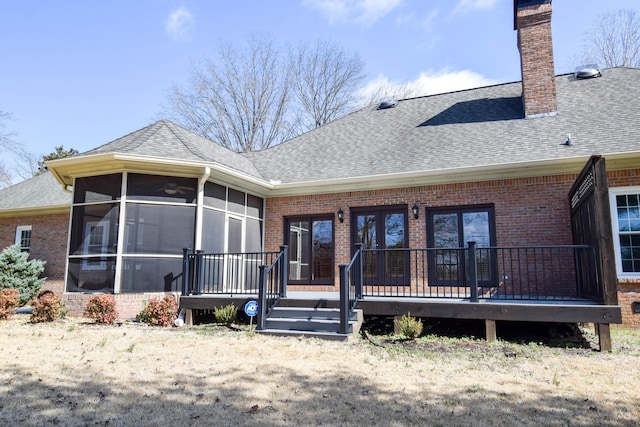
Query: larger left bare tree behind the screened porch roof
pixel 239 100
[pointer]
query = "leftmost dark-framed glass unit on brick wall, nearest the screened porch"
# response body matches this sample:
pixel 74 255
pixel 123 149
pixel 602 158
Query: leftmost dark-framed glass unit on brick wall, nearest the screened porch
pixel 310 241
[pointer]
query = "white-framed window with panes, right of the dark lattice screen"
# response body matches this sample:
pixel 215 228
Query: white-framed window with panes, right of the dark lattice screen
pixel 625 216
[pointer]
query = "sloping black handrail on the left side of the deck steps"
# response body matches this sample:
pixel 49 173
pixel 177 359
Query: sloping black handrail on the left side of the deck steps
pixel 272 286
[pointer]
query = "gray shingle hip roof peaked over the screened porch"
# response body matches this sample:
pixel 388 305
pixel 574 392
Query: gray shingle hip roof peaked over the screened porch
pixel 168 140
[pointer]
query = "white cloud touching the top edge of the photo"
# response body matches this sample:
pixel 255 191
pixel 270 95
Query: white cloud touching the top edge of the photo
pixel 363 12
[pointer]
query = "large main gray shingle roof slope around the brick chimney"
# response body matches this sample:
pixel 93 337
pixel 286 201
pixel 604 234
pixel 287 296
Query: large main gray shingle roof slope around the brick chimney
pixel 472 128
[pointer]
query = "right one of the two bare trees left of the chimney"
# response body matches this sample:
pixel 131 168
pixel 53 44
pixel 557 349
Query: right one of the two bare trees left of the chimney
pixel 325 83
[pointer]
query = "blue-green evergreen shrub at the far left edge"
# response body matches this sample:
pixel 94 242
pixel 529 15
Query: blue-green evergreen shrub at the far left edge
pixel 16 272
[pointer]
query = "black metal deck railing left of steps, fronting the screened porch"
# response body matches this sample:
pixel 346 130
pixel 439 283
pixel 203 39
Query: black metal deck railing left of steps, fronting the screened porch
pixel 223 273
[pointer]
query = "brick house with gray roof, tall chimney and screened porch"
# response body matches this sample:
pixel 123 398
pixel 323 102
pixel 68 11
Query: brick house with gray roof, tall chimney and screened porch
pixel 405 185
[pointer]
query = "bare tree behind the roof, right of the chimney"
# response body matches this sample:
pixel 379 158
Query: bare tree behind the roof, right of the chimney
pixel 615 40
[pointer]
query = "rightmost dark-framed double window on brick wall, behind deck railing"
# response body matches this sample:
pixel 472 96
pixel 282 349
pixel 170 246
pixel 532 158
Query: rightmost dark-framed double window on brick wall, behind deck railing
pixel 452 228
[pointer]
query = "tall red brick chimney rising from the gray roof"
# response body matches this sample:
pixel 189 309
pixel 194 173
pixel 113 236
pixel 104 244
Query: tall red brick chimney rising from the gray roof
pixel 533 23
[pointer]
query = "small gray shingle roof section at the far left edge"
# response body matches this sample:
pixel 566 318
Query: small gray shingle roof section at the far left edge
pixel 42 191
